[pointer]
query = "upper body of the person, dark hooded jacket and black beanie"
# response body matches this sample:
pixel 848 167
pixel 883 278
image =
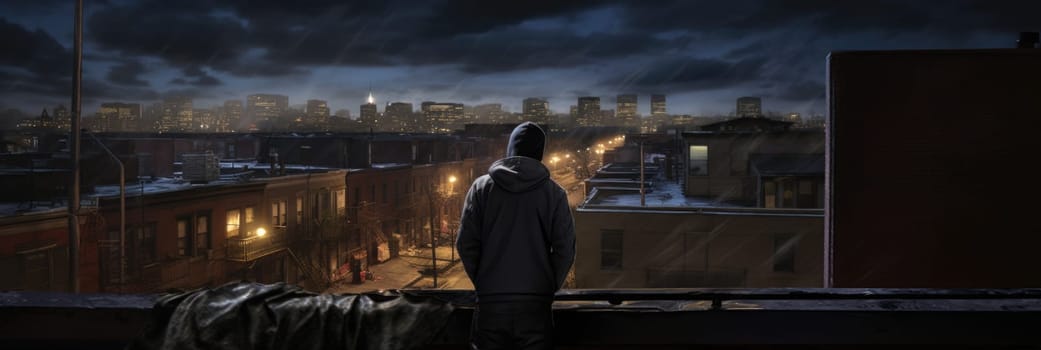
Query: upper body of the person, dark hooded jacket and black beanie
pixel 517 236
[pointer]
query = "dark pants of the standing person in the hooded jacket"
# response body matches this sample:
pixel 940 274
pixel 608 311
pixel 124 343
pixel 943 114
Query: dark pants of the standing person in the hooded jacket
pixel 513 326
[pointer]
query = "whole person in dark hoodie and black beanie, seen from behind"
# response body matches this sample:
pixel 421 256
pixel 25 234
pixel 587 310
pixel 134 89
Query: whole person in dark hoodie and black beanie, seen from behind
pixel 517 242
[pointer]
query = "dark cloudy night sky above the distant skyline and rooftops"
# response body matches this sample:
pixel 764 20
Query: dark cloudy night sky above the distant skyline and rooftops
pixel 702 55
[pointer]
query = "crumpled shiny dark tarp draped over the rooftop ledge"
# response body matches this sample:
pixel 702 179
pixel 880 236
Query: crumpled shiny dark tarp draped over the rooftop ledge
pixel 253 316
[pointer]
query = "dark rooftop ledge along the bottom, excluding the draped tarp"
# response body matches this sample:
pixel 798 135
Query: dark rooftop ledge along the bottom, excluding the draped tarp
pixel 627 318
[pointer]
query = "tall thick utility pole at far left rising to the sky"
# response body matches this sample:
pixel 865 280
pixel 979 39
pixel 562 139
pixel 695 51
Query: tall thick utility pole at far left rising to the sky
pixel 78 72
